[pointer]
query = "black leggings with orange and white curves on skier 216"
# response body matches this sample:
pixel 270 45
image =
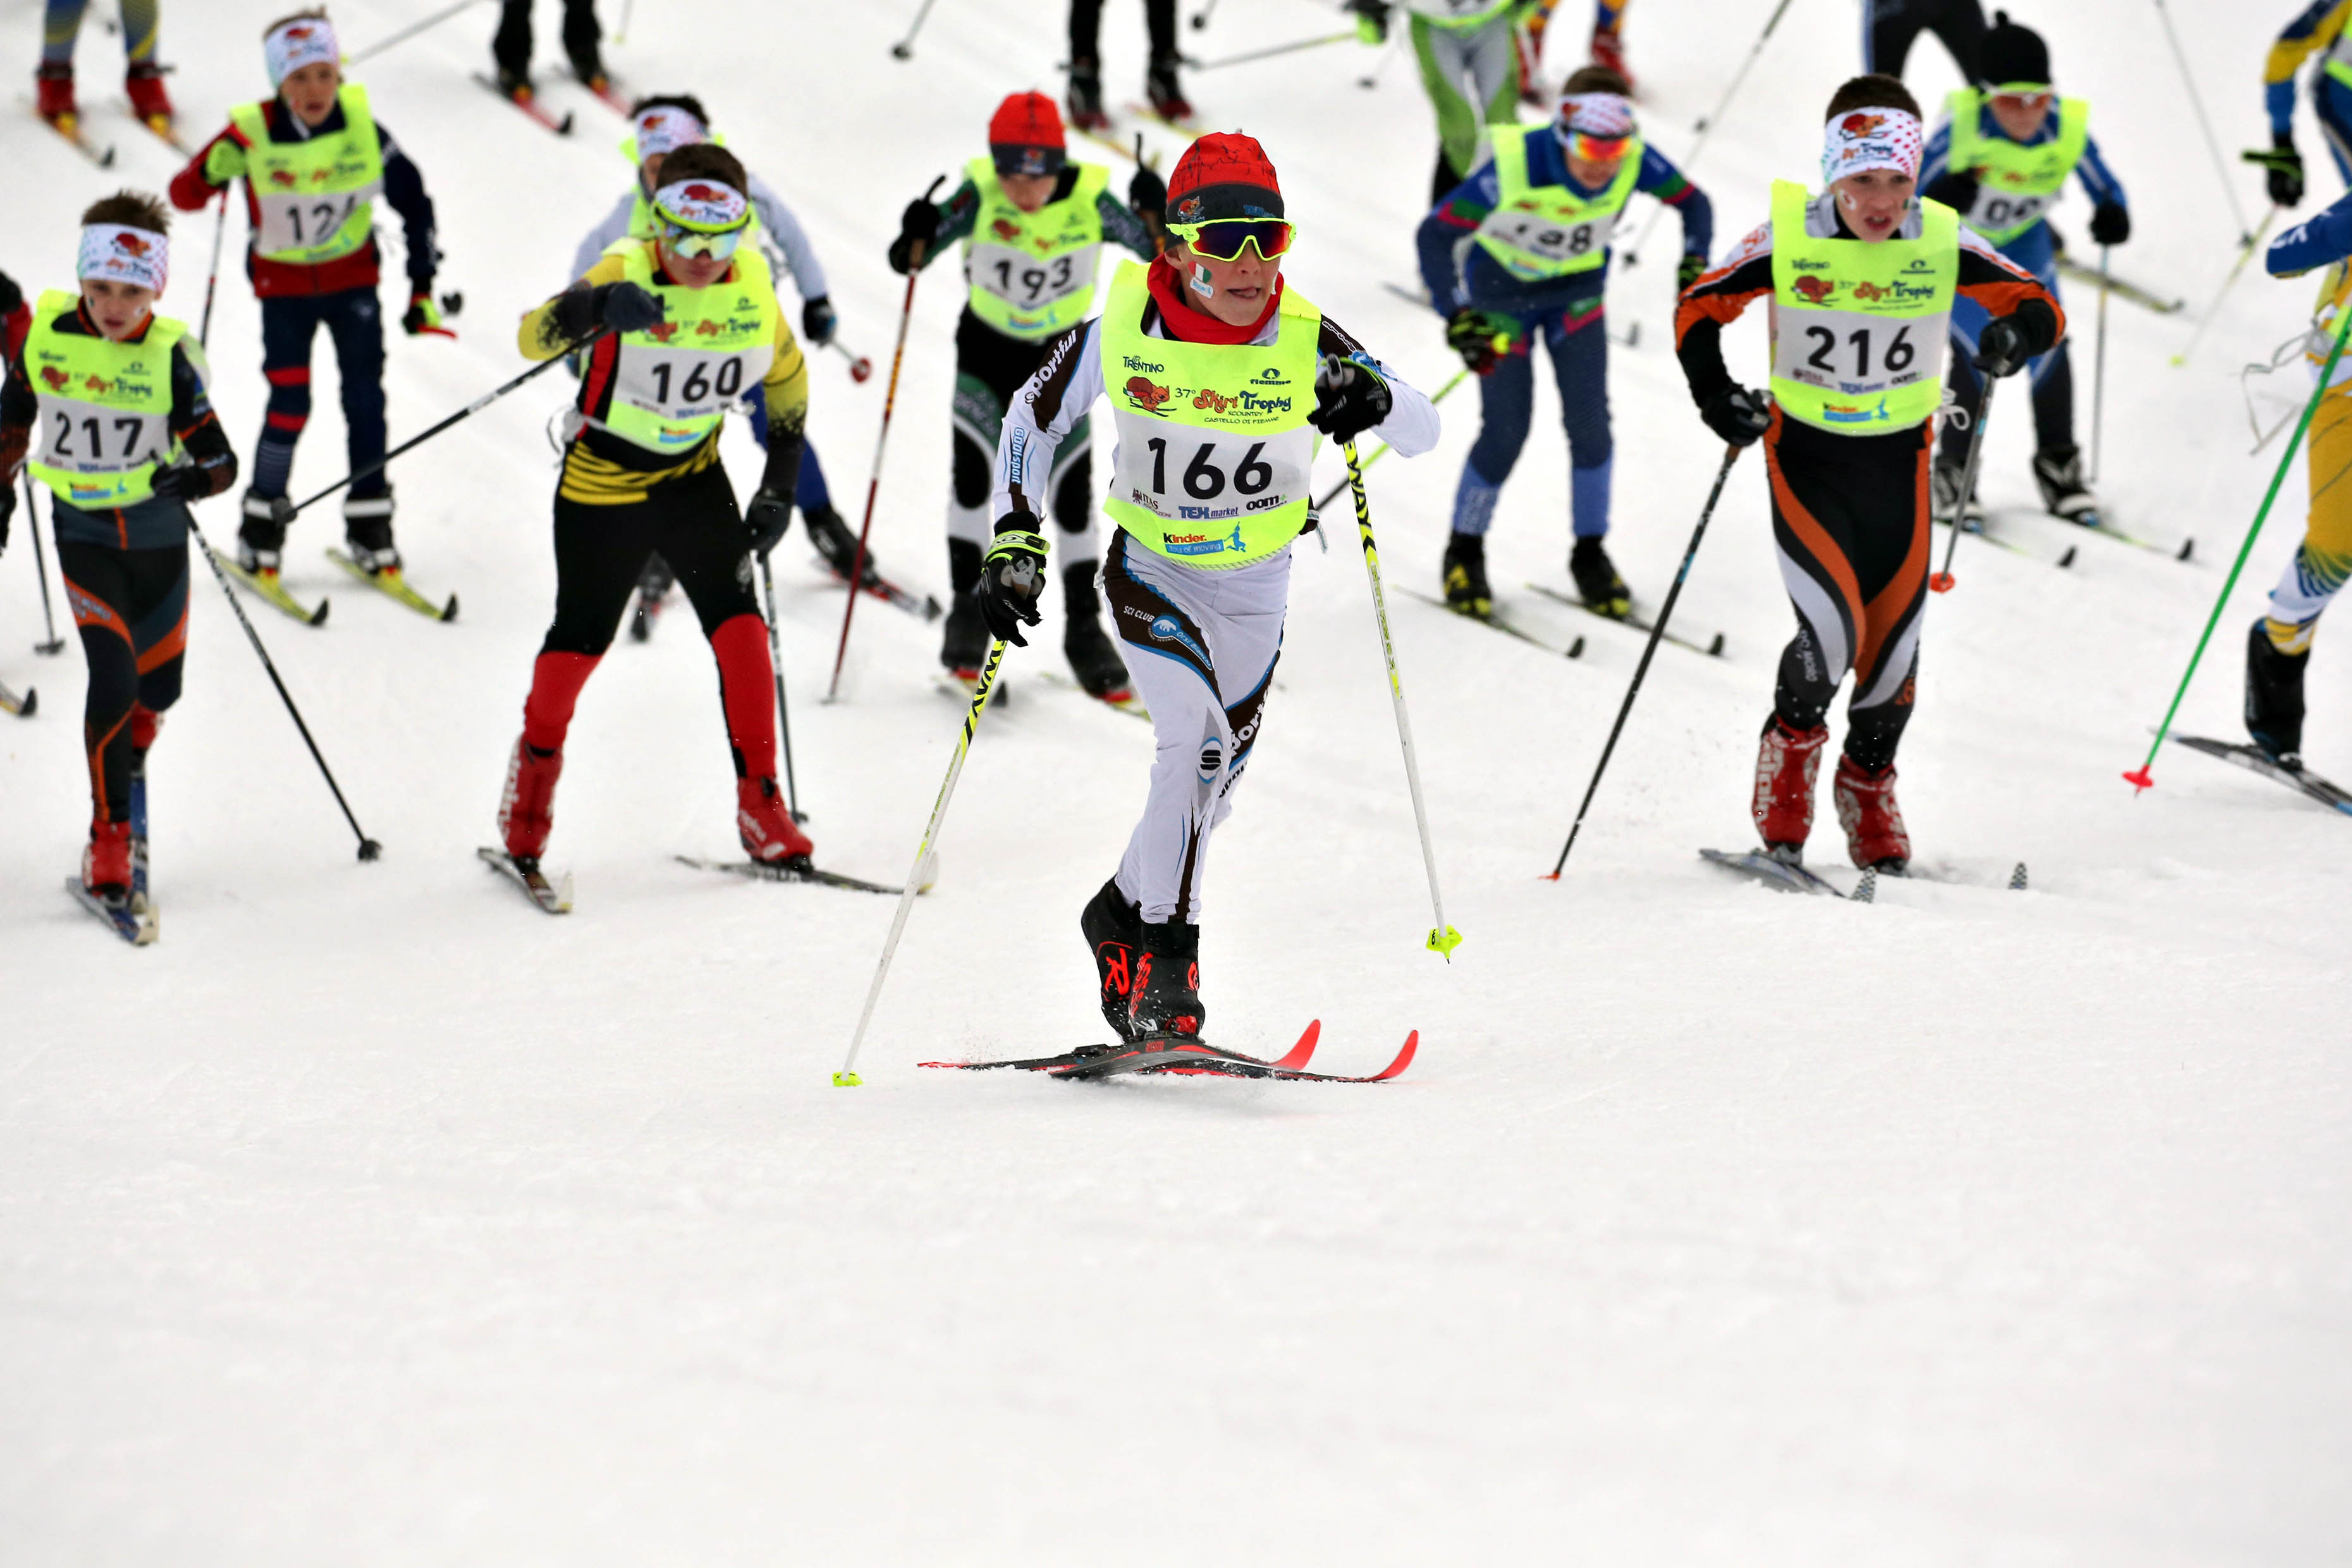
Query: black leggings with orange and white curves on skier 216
pixel 1852 523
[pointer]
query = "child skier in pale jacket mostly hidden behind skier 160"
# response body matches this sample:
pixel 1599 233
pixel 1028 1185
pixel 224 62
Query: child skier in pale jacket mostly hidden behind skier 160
pixel 662 126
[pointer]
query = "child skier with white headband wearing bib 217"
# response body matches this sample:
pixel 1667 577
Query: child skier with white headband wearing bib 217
pixel 128 441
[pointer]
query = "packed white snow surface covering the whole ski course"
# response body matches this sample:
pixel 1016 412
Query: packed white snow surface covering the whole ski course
pixel 373 1217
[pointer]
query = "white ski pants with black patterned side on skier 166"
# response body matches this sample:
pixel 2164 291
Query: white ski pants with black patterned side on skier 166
pixel 1201 648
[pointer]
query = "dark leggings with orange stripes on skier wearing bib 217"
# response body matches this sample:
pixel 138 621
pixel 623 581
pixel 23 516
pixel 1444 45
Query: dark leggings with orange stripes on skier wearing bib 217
pixel 133 612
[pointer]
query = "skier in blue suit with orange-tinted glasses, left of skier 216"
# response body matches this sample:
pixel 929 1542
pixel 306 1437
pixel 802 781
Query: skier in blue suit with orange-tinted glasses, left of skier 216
pixel 1516 253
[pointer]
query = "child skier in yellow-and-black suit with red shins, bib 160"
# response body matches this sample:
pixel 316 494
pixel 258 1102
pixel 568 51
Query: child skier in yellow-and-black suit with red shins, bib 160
pixel 690 321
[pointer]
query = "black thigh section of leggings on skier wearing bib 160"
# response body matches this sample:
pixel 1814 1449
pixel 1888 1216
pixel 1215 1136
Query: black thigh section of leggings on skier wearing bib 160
pixel 601 551
